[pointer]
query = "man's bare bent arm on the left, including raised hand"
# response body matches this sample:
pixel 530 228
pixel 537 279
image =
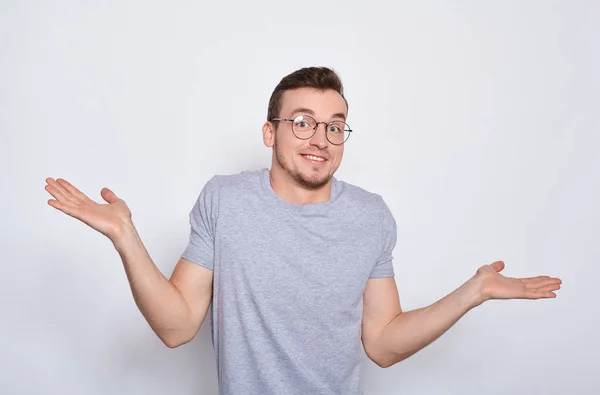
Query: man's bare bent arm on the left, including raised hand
pixel 175 308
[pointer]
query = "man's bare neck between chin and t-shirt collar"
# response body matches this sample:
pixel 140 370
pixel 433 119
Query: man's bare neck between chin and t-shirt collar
pixel 292 192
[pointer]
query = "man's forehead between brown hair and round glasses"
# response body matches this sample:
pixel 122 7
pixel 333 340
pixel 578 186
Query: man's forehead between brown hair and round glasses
pixel 324 103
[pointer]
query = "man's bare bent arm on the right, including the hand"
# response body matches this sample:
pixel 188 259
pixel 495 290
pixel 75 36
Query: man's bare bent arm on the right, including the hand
pixel 390 335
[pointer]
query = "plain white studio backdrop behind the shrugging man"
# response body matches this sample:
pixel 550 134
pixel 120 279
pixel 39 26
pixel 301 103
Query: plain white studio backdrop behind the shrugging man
pixel 477 122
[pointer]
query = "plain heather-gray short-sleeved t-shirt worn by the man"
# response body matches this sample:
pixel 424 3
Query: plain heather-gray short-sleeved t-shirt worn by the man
pixel 288 282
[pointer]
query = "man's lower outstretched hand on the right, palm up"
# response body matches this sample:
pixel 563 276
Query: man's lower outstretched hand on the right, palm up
pixel 496 286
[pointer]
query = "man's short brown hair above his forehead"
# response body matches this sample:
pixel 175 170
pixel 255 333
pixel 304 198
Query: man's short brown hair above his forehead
pixel 321 78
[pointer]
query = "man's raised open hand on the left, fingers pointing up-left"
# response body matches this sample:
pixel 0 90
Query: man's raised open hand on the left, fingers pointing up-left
pixel 108 219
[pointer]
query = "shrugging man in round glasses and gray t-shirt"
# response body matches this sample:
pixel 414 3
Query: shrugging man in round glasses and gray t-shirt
pixel 297 264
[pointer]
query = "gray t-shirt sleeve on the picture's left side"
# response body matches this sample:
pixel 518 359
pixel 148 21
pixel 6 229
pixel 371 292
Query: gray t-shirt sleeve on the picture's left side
pixel 203 224
